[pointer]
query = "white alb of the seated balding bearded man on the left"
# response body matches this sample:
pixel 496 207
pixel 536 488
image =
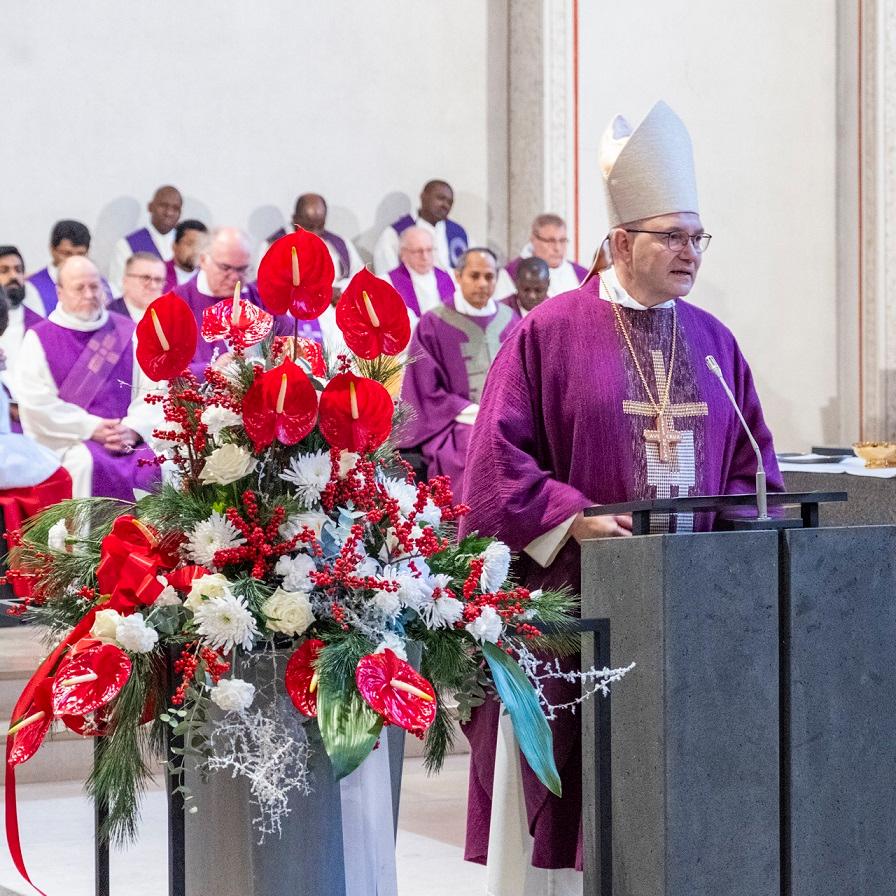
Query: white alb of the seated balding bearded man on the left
pixel 61 426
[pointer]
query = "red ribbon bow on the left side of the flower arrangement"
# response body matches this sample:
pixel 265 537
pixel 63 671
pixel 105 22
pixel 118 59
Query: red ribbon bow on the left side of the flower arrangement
pixel 129 563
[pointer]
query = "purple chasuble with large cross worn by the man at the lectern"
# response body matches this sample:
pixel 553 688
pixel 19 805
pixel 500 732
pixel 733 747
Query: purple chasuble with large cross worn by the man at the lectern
pixel 561 427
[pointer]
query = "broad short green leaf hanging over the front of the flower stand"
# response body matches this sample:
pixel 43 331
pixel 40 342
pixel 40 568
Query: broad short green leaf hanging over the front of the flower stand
pixel 349 728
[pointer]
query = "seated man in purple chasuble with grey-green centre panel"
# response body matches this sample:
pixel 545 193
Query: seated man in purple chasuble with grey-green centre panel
pixel 453 348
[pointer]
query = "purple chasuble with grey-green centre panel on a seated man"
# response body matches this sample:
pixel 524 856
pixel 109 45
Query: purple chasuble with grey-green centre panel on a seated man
pixel 453 354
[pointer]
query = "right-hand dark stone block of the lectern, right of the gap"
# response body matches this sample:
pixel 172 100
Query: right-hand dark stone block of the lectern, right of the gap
pixel 840 608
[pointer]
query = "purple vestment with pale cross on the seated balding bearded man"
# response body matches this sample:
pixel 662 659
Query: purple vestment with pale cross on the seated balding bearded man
pixel 95 371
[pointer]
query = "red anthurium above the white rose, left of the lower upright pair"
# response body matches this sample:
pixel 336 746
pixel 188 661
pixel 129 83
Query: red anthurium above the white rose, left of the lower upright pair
pixel 282 404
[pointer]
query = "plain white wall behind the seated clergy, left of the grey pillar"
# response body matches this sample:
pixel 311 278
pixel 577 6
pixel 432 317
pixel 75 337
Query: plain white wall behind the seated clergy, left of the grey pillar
pixel 243 106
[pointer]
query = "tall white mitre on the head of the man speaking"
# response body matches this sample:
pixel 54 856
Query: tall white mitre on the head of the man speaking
pixel 648 171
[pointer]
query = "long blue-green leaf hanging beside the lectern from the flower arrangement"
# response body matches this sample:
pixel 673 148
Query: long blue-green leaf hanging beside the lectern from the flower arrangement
pixel 529 724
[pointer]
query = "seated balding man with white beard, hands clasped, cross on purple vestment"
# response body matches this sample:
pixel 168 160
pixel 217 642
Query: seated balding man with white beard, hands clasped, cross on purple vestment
pixel 81 392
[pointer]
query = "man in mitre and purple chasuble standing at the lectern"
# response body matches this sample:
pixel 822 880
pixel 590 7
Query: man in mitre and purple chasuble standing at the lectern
pixel 601 395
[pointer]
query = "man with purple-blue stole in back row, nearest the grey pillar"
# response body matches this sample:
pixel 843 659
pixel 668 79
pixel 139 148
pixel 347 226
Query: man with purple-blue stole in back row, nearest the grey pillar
pixel 450 239
